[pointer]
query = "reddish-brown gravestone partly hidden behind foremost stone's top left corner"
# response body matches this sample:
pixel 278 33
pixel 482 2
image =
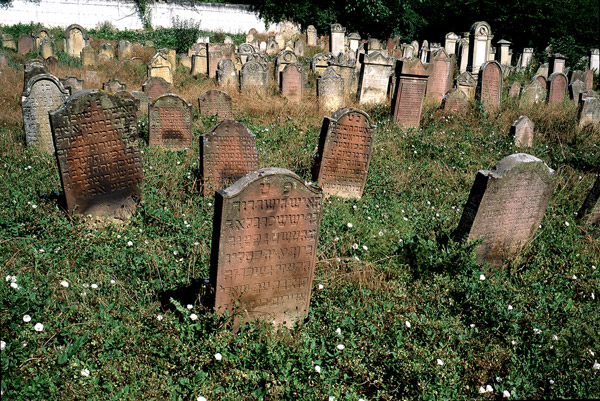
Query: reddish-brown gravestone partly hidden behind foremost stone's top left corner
pixel 227 153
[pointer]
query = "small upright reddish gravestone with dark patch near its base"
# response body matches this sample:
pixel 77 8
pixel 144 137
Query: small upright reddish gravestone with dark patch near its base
pixel 170 122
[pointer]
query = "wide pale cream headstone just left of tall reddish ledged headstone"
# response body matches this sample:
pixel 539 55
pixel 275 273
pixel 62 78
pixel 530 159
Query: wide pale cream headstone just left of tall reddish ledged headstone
pixel 375 78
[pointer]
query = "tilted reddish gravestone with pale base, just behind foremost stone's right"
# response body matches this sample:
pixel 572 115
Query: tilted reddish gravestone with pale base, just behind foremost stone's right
pixel 344 153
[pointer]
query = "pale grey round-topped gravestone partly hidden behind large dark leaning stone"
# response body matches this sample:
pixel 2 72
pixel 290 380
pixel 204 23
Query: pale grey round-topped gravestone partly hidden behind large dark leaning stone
pixel 43 93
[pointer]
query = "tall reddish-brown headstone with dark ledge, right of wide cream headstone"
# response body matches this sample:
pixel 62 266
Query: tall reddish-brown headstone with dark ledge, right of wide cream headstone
pixel 411 84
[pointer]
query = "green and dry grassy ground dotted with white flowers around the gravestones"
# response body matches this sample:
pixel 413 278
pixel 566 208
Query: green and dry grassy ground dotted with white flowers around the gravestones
pixel 398 310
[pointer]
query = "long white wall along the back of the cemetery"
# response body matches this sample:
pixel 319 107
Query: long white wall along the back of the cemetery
pixel 230 18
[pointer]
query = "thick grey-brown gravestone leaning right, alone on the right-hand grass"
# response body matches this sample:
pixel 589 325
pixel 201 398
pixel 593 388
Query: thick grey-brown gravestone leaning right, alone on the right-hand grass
pixel 505 206
